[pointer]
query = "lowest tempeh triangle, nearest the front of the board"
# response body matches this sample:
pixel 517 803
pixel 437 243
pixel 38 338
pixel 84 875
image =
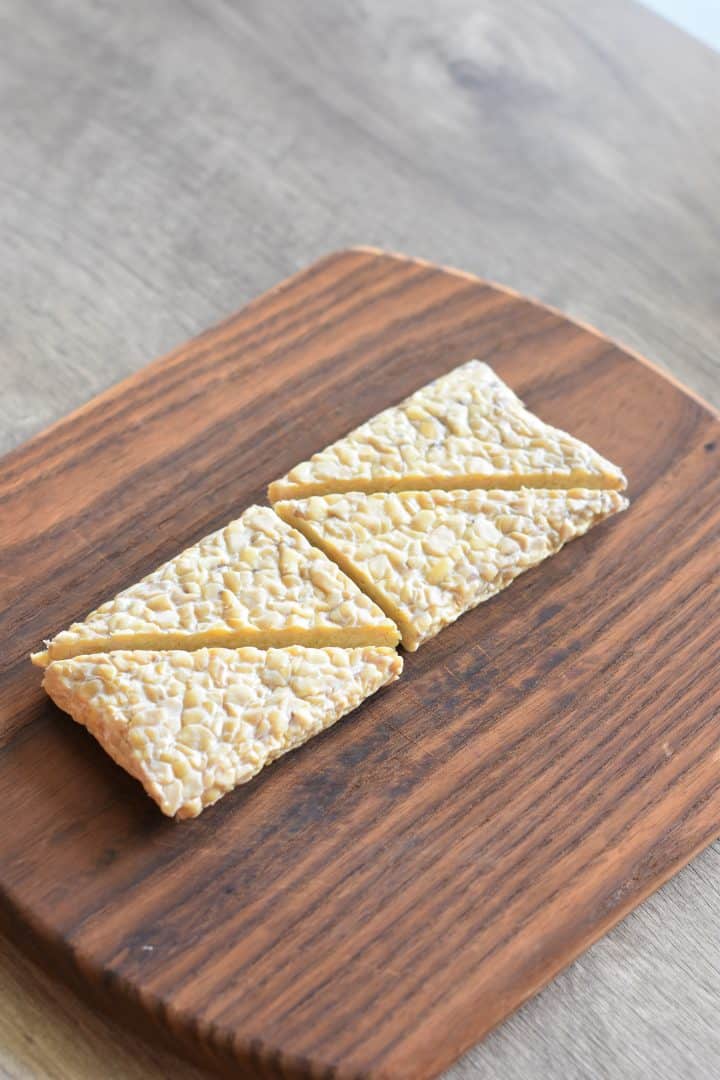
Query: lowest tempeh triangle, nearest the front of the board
pixel 192 726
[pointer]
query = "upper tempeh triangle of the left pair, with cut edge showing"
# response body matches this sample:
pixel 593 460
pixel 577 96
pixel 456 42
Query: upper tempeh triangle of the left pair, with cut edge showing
pixel 257 582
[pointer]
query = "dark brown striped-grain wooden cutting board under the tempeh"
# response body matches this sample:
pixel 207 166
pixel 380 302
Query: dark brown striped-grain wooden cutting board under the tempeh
pixel 376 902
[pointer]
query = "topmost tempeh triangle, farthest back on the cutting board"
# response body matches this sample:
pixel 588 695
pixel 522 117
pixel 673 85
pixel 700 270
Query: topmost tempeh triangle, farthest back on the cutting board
pixel 466 430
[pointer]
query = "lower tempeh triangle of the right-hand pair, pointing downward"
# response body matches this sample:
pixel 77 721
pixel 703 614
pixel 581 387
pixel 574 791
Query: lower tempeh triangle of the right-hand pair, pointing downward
pixel 427 558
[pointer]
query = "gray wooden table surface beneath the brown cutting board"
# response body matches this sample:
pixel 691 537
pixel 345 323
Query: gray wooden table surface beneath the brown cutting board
pixel 161 164
